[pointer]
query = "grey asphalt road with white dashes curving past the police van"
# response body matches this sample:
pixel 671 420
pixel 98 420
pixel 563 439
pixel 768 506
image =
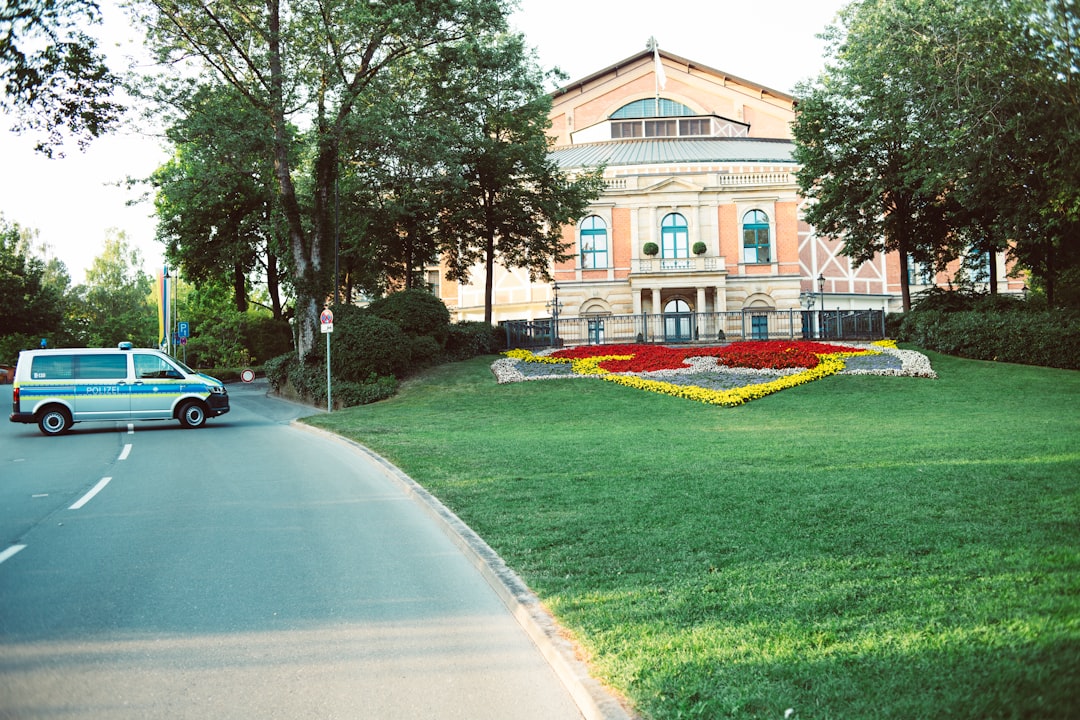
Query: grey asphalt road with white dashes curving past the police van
pixel 247 569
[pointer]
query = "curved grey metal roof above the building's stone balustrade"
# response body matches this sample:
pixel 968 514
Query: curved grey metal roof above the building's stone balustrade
pixel 674 151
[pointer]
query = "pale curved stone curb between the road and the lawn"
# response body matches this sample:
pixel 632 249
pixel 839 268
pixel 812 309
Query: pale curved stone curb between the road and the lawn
pixel 592 699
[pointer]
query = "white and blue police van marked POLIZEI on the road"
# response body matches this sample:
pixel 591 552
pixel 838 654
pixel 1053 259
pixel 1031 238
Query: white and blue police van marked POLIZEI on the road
pixel 58 388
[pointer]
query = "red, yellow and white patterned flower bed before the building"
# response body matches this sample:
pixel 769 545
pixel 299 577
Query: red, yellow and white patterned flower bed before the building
pixel 727 376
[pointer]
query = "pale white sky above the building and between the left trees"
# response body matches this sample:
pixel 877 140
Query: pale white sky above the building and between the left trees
pixel 75 201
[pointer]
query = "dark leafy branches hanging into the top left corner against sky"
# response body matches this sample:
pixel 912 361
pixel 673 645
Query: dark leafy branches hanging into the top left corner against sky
pixel 55 78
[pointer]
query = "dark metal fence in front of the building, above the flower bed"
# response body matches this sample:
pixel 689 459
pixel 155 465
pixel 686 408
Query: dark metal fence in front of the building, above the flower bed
pixel 697 328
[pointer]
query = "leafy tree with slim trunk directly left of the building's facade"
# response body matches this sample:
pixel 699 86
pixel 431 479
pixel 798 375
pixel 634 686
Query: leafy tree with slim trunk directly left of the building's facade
pixel 505 200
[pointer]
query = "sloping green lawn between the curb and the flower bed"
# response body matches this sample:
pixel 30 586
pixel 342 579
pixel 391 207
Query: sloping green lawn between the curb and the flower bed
pixel 856 548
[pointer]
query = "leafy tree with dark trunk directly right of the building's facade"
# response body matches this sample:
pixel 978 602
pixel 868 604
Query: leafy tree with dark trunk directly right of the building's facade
pixel 865 146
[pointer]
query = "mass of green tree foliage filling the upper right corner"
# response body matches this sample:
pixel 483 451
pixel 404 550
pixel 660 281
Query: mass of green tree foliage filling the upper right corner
pixel 938 127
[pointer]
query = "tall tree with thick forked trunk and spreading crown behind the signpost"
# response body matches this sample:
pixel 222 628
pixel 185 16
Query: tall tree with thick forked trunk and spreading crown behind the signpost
pixel 313 60
